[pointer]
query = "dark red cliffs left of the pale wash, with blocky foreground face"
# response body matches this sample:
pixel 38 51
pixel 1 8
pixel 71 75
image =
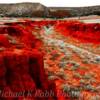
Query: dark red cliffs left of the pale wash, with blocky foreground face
pixel 21 65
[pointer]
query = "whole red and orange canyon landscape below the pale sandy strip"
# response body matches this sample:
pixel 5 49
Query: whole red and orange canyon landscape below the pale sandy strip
pixel 62 56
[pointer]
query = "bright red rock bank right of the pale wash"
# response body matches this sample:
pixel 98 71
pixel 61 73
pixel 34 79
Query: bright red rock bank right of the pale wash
pixel 80 31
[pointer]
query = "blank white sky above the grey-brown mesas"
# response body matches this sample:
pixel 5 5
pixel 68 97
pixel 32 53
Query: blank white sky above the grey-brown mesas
pixel 61 3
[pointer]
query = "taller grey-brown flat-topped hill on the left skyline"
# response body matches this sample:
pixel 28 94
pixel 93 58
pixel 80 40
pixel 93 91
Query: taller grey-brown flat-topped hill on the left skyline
pixel 23 10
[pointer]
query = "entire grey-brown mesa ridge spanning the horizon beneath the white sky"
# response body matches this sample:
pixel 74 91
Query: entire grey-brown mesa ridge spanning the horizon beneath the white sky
pixel 38 10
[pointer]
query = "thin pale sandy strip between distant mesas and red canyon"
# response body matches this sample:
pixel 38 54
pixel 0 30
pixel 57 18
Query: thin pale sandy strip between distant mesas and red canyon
pixel 86 19
